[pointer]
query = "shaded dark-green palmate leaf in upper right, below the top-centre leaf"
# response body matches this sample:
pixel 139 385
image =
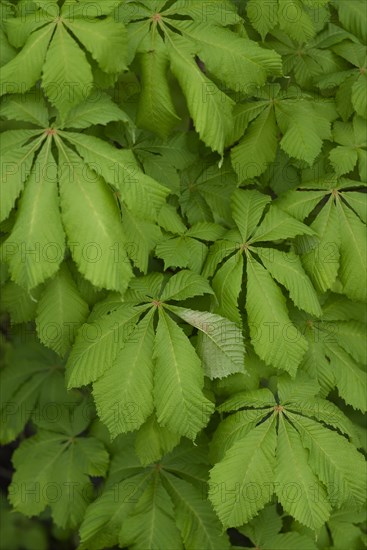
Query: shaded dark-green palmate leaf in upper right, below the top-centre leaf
pixel 299 123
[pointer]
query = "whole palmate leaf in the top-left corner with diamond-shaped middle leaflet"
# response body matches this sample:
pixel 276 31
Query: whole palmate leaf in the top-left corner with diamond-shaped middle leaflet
pixel 67 76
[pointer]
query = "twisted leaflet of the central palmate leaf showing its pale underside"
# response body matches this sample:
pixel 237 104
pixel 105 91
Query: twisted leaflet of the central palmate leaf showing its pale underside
pixel 220 346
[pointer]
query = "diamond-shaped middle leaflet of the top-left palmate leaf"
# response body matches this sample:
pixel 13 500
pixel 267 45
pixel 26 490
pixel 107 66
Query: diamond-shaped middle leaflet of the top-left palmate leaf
pixel 67 76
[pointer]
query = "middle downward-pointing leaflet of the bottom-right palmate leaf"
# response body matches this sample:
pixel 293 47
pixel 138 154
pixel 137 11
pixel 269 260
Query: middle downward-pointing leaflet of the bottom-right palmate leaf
pixel 312 509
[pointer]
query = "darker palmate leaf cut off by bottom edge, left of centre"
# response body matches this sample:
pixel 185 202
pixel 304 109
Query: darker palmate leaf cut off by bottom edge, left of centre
pixel 136 500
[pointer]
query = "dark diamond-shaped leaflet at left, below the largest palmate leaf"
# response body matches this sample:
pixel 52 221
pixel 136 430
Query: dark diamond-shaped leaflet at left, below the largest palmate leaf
pixel 60 312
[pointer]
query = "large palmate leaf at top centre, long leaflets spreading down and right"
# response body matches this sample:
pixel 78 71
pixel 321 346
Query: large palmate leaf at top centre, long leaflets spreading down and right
pixel 185 39
